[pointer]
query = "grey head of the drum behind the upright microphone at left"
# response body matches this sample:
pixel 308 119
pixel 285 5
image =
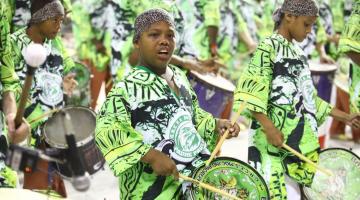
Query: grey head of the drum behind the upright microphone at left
pixel 83 120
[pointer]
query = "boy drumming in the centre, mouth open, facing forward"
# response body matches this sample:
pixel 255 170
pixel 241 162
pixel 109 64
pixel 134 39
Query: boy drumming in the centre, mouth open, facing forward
pixel 140 124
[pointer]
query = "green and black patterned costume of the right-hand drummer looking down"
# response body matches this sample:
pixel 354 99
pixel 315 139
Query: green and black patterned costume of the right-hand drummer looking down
pixel 277 83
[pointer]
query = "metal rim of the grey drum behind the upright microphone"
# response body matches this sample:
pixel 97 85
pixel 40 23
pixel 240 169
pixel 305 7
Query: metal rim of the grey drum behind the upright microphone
pixel 78 144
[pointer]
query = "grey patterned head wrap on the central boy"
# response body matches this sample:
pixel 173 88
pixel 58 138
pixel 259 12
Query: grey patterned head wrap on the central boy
pixel 145 19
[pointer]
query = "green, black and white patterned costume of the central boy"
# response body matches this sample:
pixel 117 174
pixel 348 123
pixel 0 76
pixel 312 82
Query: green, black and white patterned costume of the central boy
pixel 142 112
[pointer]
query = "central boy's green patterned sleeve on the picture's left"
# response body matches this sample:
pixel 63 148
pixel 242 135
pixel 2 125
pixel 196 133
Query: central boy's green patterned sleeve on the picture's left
pixel 120 144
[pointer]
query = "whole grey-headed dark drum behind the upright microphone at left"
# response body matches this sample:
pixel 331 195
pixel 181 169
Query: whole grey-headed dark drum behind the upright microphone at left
pixel 84 126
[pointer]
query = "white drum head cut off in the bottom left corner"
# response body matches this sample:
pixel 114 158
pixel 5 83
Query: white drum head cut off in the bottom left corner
pixel 20 194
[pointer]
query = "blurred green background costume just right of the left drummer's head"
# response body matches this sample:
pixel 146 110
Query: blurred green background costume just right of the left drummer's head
pixel 90 24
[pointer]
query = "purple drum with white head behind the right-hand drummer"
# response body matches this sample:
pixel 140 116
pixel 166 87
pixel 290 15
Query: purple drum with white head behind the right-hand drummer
pixel 322 75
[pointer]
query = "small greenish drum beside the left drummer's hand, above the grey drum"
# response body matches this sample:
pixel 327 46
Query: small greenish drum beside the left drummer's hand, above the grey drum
pixel 81 94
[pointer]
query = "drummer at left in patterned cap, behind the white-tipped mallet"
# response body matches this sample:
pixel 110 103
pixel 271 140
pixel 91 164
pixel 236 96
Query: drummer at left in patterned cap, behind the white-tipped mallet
pixel 50 81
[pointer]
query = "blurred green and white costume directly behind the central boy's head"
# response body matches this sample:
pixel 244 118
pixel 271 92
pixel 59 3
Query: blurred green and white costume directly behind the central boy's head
pixel 125 13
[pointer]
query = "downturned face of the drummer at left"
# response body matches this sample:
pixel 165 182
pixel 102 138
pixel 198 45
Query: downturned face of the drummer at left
pixel 51 27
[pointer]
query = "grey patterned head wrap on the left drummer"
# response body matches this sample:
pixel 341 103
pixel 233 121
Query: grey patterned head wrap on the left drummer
pixel 50 10
